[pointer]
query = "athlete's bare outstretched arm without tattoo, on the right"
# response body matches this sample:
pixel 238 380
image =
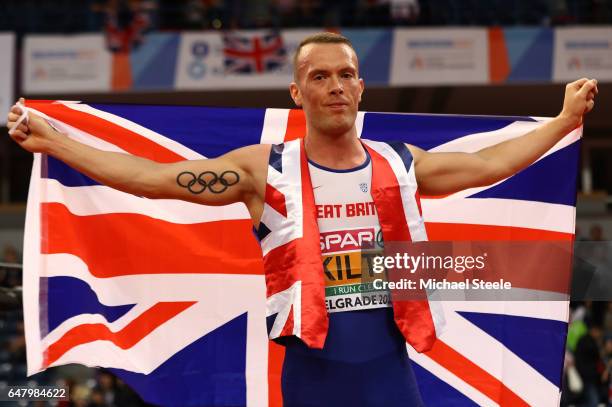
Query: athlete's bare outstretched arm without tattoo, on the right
pixel 445 173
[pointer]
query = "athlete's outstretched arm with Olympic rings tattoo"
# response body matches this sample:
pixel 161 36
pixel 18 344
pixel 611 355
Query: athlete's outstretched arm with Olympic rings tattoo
pixel 233 177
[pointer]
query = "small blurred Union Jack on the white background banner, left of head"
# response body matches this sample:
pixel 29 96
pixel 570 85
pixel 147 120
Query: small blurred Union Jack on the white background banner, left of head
pixel 253 53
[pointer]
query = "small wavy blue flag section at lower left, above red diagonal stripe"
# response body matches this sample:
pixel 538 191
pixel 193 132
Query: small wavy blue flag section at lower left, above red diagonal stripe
pixel 83 300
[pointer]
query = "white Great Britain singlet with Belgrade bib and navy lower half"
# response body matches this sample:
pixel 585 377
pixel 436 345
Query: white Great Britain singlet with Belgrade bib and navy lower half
pixel 364 361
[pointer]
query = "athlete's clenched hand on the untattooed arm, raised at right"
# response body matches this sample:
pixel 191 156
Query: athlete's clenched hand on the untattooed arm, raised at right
pixel 579 100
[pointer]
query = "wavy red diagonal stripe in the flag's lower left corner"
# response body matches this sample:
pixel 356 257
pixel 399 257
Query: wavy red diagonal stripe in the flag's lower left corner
pixel 127 337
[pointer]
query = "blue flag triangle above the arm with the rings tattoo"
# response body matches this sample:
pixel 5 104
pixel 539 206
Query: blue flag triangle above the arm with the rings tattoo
pixel 210 131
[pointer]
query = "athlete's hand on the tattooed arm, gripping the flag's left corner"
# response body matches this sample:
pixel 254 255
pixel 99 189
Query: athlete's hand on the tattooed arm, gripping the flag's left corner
pixel 34 134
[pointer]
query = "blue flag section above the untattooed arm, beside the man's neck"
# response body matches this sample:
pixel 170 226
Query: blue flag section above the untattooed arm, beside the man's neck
pixel 428 131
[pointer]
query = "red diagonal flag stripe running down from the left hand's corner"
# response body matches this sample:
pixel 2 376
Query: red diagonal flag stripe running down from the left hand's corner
pixel 108 131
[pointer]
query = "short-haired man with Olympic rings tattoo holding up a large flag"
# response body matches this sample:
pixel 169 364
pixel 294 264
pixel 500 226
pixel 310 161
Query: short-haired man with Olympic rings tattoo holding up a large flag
pixel 363 360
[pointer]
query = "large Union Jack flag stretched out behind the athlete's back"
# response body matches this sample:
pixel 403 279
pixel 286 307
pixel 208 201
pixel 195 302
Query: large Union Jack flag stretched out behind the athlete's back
pixel 170 295
